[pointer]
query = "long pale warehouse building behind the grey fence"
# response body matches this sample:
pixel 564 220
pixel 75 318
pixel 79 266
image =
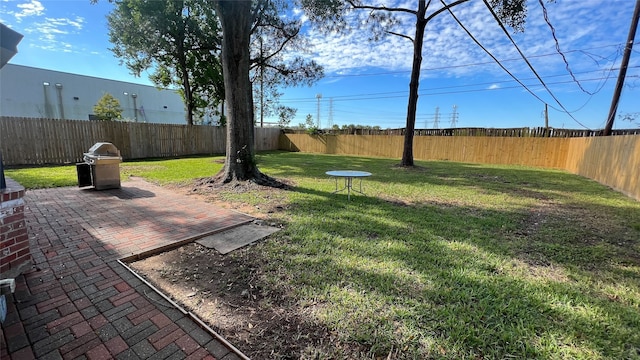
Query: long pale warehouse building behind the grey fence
pixel 40 93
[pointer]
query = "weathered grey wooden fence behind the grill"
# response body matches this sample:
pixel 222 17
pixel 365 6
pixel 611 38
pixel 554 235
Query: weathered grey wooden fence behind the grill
pixel 26 141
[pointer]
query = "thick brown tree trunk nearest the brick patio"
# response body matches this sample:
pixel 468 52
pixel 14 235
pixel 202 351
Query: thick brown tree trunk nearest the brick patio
pixel 236 20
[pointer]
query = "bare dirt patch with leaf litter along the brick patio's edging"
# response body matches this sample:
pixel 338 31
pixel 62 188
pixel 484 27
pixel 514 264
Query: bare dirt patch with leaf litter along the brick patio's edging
pixel 225 292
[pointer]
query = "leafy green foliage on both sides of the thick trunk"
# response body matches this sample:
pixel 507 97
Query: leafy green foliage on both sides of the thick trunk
pixel 181 41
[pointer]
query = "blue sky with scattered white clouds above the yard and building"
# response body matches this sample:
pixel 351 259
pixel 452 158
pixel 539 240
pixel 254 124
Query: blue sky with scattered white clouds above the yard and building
pixel 367 83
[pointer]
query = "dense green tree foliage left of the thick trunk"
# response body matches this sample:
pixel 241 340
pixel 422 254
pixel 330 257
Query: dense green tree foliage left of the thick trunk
pixel 179 39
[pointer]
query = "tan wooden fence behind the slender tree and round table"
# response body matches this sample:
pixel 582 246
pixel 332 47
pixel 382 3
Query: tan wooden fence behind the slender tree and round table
pixel 612 160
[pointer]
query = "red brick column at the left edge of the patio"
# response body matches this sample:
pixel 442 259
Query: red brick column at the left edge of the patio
pixel 15 255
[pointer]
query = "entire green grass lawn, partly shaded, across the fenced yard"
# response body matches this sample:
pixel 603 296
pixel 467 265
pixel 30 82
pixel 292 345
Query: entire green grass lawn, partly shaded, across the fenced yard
pixel 450 260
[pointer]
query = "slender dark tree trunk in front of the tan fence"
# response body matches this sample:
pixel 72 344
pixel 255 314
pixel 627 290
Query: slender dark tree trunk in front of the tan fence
pixel 414 84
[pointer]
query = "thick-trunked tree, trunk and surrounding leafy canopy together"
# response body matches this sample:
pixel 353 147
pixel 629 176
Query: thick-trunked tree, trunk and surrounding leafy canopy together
pixel 205 47
